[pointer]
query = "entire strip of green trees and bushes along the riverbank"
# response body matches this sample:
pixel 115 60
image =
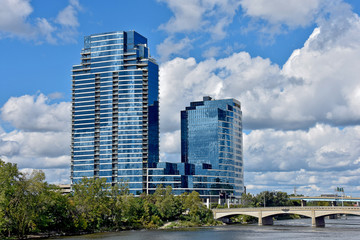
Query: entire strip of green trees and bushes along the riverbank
pixel 29 205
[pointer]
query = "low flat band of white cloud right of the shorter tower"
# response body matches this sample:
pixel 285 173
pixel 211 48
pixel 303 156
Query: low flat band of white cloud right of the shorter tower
pixel 320 148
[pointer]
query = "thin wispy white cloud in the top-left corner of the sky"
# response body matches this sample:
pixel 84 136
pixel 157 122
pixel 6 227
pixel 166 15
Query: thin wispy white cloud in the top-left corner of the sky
pixel 16 21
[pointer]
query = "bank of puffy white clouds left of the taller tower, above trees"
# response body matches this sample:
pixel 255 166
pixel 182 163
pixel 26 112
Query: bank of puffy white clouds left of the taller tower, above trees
pixel 41 138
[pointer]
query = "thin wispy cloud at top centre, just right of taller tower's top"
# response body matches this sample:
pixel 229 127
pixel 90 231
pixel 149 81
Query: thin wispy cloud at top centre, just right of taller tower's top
pixel 195 18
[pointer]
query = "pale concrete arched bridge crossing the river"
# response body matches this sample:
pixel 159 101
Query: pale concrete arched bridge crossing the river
pixel 265 215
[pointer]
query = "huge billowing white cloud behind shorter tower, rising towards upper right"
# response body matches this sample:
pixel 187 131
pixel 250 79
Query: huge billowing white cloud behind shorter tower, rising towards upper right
pixel 318 84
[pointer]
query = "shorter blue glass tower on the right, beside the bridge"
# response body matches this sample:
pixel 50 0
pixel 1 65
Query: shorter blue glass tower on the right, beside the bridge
pixel 211 141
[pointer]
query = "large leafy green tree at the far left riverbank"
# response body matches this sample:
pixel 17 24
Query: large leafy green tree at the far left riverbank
pixel 28 204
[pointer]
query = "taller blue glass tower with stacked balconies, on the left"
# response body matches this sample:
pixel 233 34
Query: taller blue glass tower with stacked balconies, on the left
pixel 115 110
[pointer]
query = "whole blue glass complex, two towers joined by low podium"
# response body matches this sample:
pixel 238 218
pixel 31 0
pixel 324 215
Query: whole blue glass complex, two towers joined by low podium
pixel 115 125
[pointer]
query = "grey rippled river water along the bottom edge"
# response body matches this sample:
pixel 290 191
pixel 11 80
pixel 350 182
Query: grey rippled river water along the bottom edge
pixel 341 229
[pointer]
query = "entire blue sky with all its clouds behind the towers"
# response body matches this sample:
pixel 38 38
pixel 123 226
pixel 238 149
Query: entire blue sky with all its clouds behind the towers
pixel 293 65
